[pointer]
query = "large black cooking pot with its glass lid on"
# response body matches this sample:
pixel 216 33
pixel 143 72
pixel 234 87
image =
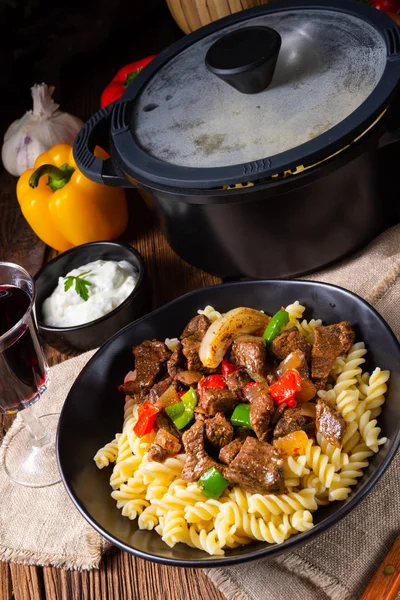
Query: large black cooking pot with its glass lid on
pixel 255 138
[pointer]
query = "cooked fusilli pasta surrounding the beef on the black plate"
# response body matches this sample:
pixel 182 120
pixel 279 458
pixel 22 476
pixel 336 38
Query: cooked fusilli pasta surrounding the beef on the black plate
pixel 179 512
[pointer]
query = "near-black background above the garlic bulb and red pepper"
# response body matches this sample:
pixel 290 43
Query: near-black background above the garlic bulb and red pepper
pixel 70 43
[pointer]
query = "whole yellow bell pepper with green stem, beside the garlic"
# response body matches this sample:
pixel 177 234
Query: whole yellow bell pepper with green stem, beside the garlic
pixel 66 209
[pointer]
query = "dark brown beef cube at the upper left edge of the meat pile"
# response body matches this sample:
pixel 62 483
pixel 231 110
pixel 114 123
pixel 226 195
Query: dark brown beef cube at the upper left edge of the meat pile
pixel 150 357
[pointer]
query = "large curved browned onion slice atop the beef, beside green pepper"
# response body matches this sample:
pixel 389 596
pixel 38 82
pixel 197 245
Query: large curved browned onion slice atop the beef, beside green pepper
pixel 226 329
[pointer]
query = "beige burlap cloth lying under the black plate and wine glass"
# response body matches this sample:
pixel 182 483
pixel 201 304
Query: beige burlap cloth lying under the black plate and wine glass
pixel 337 565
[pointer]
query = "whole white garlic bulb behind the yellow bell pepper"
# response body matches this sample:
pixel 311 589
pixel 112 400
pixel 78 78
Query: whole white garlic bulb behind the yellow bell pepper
pixel 37 131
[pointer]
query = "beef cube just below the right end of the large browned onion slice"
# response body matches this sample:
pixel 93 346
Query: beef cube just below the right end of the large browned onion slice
pixel 250 352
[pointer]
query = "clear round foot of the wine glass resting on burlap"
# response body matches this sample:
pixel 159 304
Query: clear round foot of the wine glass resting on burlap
pixel 33 465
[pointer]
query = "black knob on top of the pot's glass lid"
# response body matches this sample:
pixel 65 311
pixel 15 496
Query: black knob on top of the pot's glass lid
pixel 245 58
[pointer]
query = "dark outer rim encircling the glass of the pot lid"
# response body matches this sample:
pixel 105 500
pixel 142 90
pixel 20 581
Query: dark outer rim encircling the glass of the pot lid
pixel 141 166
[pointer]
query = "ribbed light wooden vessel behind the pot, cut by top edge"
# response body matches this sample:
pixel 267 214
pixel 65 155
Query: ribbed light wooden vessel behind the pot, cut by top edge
pixel 193 14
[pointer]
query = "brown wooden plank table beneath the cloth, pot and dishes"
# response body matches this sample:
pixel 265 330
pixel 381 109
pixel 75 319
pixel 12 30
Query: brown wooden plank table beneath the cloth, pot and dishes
pixel 120 576
